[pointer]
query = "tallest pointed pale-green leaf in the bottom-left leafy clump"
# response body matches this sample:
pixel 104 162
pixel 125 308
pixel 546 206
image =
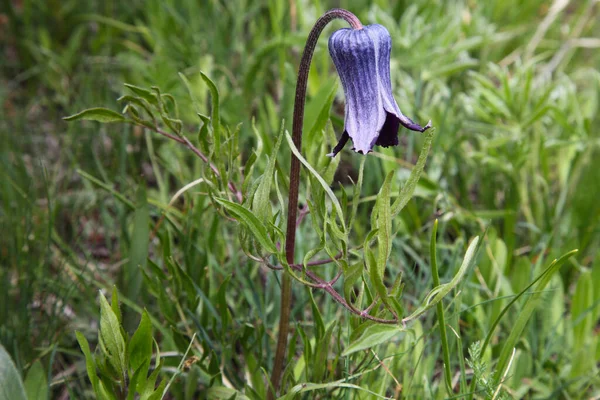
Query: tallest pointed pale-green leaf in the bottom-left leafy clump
pixel 111 338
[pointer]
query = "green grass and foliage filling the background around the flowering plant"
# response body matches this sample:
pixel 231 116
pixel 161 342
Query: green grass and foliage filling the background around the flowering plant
pixel 513 91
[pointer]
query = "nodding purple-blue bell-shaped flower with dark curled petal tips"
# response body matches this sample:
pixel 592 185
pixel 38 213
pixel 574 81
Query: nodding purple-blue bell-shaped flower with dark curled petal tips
pixel 362 59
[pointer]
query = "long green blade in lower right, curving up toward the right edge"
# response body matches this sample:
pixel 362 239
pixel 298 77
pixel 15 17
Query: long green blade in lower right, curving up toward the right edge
pixel 525 314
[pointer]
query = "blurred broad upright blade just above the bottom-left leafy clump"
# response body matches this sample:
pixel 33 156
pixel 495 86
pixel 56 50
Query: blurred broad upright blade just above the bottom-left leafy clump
pixel 138 253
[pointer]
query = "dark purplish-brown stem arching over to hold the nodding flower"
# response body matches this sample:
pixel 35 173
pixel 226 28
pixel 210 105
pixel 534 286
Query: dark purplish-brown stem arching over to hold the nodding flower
pixel 290 238
